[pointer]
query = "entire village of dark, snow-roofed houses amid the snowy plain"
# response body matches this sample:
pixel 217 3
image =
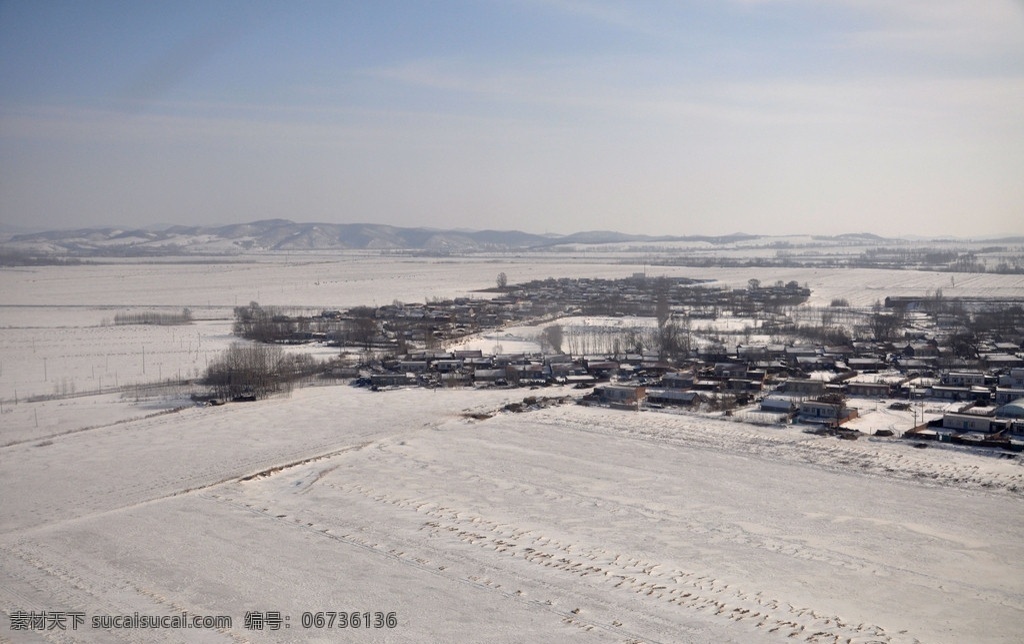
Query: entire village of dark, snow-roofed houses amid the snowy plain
pixel 660 346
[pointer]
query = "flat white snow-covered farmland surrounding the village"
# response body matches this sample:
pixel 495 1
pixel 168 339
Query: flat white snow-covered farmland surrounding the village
pixel 567 524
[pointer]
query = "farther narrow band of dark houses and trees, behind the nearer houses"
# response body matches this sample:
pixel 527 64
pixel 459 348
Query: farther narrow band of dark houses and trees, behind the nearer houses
pixel 398 326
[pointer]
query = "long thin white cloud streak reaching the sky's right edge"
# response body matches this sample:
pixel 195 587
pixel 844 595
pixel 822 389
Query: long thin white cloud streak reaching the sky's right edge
pixel 738 101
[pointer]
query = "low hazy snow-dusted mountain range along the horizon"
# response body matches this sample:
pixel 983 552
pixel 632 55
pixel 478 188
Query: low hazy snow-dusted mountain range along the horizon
pixel 286 236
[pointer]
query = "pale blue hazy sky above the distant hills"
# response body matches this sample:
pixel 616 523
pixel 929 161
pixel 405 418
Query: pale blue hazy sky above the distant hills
pixel 692 117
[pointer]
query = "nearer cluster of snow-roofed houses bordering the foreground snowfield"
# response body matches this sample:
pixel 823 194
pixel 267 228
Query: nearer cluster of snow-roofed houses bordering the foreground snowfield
pixel 772 381
